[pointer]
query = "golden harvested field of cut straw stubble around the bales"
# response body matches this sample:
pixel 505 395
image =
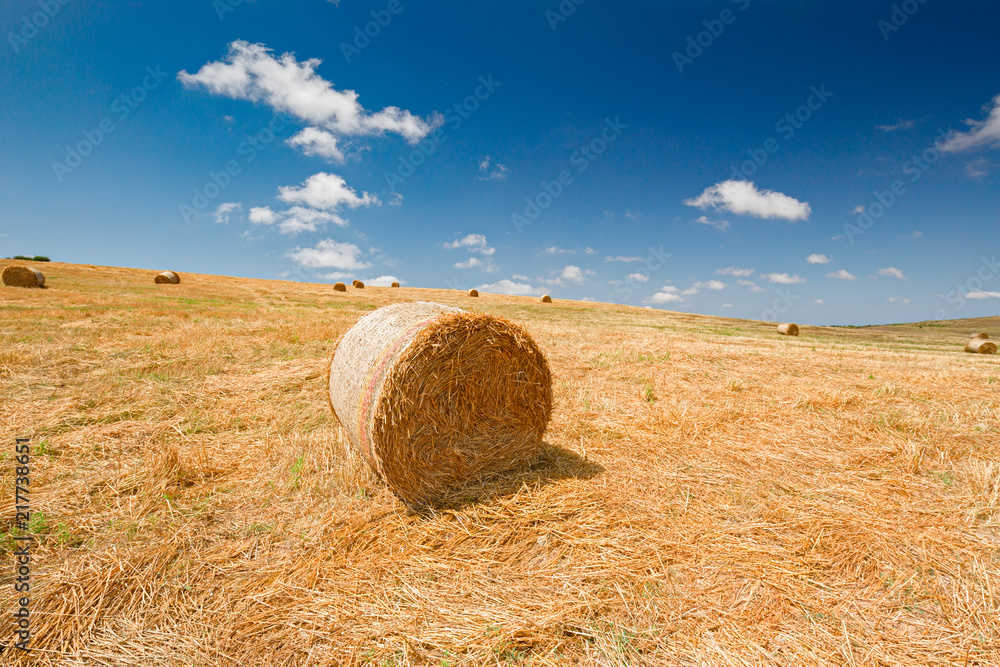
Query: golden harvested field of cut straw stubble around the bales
pixel 708 494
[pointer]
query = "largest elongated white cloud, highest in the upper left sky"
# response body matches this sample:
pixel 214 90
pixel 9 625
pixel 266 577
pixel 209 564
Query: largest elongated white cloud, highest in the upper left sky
pixel 251 72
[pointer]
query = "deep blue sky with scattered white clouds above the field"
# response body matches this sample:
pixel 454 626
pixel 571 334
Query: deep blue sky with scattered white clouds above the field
pixel 820 162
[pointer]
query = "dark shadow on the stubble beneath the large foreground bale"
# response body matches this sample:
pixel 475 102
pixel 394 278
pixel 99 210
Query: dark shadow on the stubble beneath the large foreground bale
pixel 553 464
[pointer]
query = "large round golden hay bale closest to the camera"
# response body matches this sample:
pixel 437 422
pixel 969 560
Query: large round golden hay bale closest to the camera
pixel 432 396
